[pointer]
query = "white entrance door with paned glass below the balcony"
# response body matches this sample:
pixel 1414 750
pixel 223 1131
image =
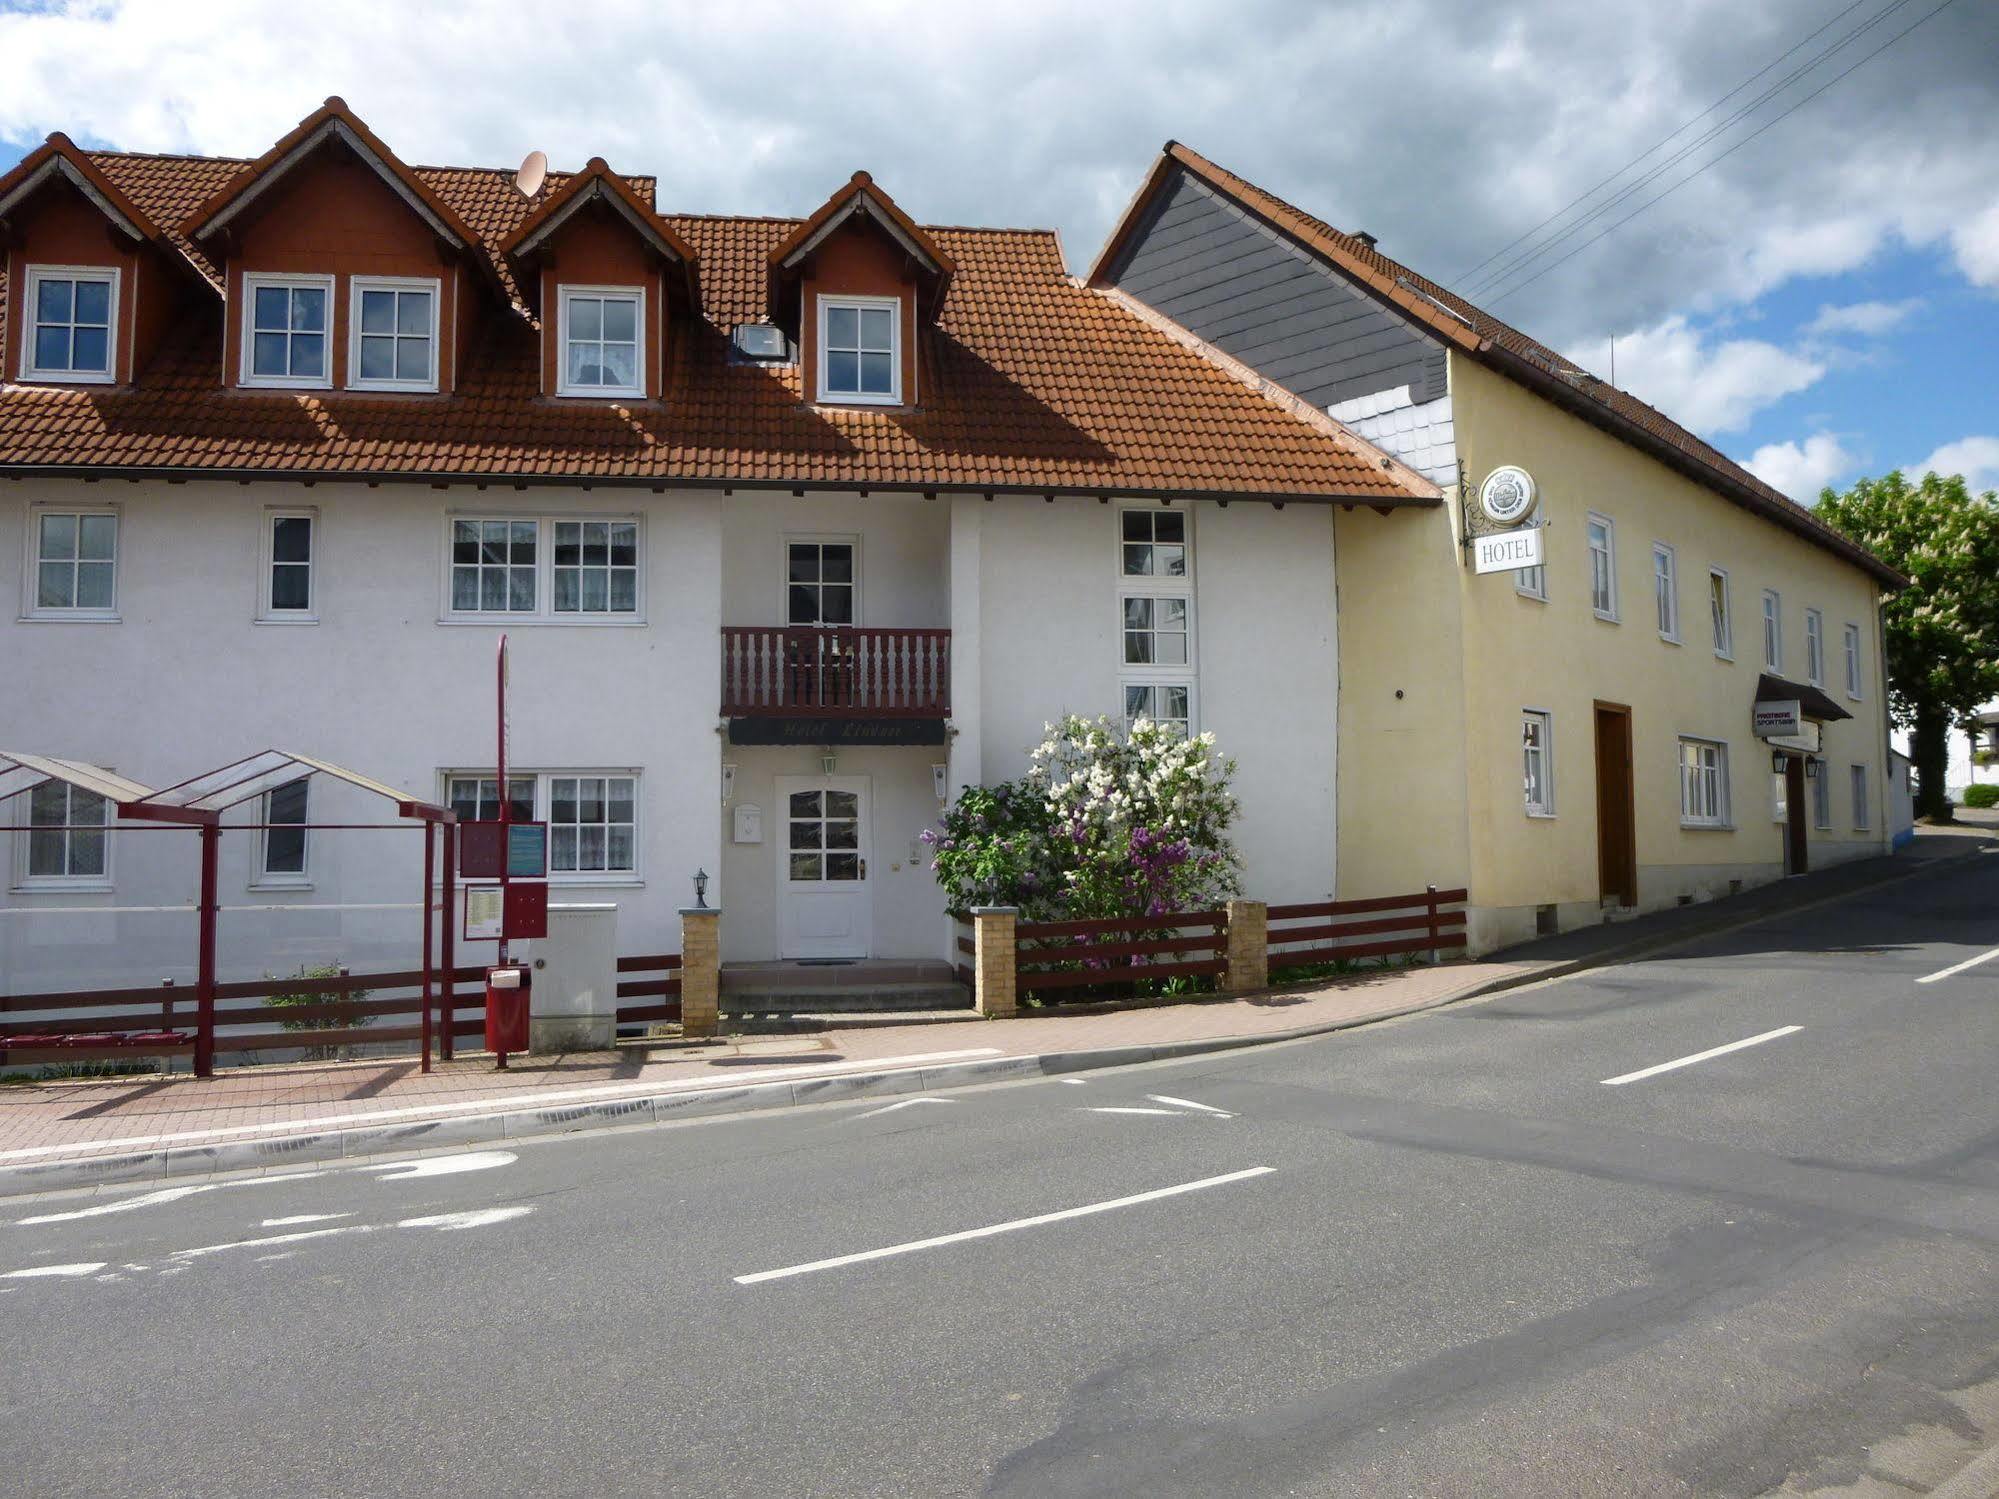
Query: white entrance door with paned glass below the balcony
pixel 825 904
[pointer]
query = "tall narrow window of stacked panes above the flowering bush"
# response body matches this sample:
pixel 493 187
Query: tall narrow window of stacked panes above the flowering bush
pixel 1156 641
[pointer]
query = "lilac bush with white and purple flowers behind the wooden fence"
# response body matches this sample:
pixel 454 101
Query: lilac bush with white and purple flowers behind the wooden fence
pixel 1104 824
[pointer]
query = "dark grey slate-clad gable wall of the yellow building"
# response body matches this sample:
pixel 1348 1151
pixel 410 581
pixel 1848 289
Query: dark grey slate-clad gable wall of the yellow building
pixel 1240 287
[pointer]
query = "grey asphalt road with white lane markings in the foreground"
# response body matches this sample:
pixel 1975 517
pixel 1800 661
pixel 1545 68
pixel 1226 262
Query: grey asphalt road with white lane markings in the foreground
pixel 1438 1256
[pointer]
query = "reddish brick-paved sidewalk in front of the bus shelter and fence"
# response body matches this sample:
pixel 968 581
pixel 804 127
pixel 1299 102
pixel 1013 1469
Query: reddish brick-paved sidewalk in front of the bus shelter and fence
pixel 49 1122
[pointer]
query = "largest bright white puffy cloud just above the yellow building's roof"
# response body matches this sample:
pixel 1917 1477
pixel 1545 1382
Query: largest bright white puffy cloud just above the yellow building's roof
pixel 1708 385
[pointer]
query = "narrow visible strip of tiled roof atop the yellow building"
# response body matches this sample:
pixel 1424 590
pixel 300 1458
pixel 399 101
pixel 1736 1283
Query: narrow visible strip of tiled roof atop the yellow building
pixel 1482 337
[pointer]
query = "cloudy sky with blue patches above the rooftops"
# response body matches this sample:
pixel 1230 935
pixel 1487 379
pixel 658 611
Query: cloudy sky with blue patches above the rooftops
pixel 1816 293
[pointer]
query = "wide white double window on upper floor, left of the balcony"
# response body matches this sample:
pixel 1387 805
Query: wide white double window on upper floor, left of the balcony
pixel 543 569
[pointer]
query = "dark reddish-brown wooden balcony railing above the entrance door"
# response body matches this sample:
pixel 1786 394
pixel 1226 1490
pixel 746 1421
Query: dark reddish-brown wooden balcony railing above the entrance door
pixel 837 673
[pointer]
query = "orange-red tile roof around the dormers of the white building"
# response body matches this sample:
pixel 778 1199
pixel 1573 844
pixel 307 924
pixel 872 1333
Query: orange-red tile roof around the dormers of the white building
pixel 1032 383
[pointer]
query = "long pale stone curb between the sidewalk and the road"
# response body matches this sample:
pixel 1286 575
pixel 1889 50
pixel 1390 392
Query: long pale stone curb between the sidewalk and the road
pixel 673 1106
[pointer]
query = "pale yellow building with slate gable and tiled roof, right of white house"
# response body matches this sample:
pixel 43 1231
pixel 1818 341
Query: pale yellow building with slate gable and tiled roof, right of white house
pixel 1684 699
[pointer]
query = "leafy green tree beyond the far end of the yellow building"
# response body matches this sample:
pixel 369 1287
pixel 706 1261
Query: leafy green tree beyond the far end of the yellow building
pixel 1944 631
